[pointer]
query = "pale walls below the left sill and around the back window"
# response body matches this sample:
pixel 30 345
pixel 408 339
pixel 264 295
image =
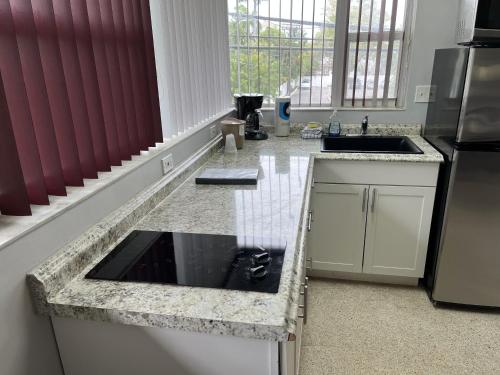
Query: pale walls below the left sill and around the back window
pixel 27 344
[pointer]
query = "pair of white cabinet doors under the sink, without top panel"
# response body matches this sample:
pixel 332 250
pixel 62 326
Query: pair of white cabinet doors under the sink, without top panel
pixel 370 229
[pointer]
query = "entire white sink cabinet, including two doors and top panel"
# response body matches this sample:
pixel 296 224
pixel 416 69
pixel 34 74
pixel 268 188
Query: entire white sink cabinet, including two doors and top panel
pixel 369 229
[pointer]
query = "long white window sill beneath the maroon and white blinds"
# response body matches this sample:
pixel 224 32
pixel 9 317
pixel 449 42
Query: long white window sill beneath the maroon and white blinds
pixel 15 227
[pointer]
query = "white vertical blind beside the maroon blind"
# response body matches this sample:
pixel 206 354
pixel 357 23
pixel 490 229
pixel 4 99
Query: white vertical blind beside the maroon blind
pixel 191 51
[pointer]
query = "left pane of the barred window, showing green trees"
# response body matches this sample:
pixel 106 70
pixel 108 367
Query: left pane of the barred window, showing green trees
pixel 283 47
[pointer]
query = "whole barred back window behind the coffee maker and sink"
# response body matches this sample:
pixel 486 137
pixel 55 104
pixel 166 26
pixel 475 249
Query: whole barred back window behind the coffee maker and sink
pixel 322 53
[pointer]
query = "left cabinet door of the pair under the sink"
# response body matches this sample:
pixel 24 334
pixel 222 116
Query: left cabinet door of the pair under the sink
pixel 338 228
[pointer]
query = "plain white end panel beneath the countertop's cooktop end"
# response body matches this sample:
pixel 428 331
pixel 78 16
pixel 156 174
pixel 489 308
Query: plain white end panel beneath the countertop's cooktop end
pixel 97 348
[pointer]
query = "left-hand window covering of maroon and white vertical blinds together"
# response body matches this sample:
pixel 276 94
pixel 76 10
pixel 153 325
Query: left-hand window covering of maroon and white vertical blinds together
pixel 85 84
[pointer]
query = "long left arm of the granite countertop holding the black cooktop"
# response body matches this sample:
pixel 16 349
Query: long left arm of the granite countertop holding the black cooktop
pixel 273 208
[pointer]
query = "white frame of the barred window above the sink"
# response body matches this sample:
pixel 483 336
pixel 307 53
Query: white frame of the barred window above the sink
pixel 338 100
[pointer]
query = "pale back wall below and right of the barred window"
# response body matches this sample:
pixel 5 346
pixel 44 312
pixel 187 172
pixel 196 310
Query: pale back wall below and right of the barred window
pixel 435 26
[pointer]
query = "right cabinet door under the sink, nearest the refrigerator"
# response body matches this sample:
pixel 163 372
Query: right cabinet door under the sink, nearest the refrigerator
pixel 397 231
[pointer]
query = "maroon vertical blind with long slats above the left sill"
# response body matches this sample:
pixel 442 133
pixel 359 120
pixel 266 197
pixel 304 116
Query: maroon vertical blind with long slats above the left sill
pixel 79 94
